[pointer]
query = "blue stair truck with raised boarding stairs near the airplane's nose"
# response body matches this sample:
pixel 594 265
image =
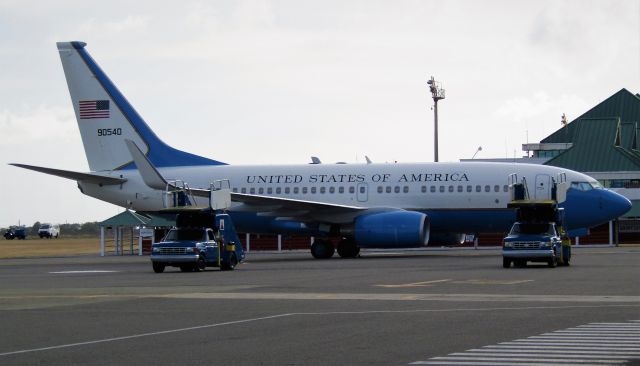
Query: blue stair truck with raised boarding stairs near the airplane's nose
pixel 538 235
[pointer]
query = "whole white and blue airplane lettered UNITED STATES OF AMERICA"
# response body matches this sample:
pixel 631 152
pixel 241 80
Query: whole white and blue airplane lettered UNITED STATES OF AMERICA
pixel 366 205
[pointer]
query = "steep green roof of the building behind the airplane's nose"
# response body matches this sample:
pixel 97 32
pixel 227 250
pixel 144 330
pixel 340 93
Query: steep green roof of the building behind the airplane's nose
pixel 605 138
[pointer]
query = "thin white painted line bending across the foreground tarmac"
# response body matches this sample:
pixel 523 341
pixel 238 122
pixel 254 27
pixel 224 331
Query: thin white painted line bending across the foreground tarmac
pixel 286 315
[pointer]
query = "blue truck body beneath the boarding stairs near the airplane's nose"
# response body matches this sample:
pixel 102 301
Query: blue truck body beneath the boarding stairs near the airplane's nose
pixel 535 242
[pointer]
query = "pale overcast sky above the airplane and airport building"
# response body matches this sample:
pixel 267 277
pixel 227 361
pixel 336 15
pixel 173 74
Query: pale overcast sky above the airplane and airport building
pixel 275 82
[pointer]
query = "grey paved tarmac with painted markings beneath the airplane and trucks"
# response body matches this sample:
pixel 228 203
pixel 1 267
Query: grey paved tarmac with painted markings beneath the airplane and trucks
pixel 385 308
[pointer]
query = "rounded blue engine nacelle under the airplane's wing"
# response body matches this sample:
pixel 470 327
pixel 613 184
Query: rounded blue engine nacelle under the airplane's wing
pixel 394 229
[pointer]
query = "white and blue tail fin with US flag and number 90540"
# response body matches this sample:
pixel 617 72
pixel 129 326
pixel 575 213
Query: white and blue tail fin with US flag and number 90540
pixel 106 119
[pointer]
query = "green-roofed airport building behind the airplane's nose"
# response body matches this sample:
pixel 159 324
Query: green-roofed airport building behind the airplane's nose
pixel 603 143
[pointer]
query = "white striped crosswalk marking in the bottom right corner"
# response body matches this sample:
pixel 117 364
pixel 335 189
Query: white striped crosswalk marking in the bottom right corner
pixel 566 348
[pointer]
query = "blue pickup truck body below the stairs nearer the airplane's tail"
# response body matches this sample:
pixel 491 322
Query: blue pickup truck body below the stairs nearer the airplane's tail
pixel 193 249
